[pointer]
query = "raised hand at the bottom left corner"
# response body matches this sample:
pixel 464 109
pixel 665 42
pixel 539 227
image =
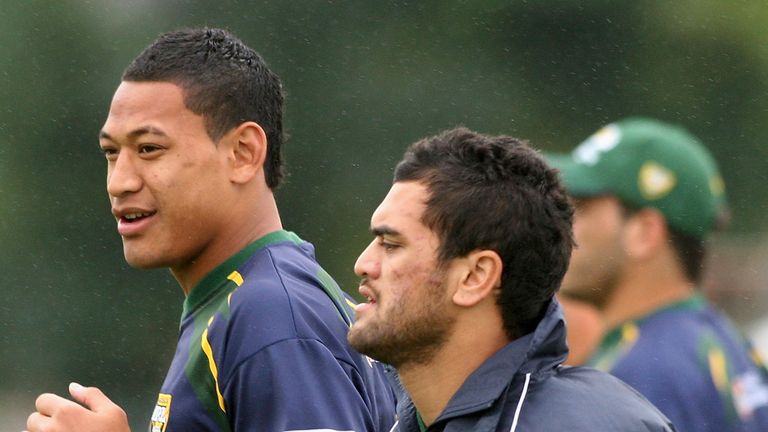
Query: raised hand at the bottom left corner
pixel 96 414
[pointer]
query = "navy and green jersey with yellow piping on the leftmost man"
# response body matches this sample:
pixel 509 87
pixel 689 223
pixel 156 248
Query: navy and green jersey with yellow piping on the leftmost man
pixel 263 348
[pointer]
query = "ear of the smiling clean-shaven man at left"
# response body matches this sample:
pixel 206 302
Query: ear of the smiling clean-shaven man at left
pixel 248 151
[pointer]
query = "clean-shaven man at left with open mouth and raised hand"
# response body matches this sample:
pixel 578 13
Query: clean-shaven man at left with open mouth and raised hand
pixel 192 143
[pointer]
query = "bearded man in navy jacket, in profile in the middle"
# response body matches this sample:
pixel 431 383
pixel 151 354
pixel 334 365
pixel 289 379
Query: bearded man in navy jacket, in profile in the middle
pixel 471 243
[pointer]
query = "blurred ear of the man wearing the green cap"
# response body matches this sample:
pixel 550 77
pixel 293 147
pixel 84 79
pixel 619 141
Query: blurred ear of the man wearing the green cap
pixel 646 234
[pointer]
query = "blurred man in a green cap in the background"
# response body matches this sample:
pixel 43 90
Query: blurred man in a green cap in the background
pixel 647 194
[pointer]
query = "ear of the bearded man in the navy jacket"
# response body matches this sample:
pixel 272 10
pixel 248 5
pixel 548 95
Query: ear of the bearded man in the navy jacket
pixel 479 276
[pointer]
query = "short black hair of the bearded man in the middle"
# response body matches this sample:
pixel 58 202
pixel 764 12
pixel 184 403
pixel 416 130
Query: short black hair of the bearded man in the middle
pixel 497 193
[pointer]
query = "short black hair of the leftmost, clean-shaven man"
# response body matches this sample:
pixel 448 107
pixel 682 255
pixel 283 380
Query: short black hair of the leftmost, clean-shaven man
pixel 223 80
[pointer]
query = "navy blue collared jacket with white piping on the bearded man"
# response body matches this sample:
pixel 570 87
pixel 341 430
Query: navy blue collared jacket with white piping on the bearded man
pixel 524 388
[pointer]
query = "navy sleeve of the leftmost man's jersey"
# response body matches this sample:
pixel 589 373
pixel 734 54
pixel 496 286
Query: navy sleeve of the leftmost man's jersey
pixel 295 385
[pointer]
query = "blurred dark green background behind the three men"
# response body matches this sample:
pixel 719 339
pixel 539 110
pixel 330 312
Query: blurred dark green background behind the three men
pixel 363 80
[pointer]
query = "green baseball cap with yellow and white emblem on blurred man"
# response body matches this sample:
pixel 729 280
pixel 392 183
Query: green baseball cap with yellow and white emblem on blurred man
pixel 647 163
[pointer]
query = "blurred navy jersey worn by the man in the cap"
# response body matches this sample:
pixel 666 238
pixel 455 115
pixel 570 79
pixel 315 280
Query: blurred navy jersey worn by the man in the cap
pixel 690 362
